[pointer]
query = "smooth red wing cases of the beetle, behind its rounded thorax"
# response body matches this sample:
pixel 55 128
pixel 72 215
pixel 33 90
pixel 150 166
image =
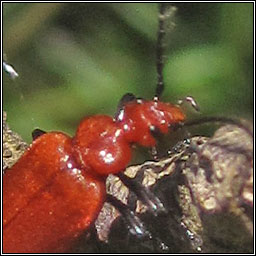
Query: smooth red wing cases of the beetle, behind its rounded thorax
pixel 47 200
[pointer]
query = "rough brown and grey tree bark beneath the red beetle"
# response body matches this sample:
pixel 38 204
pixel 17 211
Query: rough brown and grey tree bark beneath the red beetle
pixel 205 184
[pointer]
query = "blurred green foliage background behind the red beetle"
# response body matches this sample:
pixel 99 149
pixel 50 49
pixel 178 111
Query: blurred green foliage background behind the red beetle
pixel 77 59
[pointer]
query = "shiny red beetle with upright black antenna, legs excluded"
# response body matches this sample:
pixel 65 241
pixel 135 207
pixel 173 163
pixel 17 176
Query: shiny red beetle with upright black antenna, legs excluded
pixel 57 188
